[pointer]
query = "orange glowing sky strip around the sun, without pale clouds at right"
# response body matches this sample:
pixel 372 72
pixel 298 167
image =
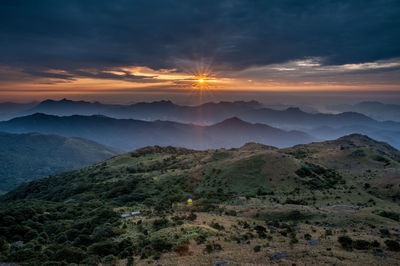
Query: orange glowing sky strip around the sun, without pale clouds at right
pixel 131 80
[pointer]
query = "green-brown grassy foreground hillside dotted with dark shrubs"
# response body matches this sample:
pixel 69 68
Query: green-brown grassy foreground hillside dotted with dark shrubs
pixel 324 203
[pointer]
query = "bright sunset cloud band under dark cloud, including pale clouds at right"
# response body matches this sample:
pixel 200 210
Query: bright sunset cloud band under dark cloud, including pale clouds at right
pixel 307 74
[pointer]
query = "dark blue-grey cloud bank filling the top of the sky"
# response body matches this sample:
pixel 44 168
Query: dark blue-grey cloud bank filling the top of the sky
pixel 234 34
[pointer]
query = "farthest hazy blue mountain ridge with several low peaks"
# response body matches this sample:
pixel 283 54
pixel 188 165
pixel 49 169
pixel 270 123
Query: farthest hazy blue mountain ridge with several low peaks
pixel 207 113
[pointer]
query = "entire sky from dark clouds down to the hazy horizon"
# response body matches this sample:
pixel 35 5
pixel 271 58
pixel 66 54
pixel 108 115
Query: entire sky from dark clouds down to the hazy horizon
pixel 126 51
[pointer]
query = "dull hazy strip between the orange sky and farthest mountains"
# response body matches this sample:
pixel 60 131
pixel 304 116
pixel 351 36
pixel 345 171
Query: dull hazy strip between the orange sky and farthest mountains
pixel 318 99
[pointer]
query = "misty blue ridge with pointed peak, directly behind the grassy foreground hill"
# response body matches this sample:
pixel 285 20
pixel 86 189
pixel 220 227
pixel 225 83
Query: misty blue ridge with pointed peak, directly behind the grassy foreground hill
pixel 128 134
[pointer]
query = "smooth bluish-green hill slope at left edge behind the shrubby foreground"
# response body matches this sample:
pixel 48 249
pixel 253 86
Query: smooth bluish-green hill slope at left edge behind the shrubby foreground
pixel 24 157
